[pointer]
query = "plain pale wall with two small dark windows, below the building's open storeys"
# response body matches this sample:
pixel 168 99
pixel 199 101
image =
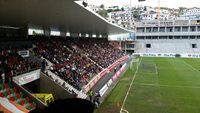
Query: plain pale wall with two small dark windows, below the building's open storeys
pixel 168 46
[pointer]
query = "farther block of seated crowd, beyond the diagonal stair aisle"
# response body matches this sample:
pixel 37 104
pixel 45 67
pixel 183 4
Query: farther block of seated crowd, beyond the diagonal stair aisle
pixel 100 51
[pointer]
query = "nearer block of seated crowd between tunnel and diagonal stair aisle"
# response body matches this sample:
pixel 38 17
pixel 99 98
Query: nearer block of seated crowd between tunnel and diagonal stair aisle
pixel 69 63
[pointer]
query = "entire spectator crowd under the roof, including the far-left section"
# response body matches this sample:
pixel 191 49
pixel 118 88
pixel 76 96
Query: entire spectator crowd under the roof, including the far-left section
pixel 76 60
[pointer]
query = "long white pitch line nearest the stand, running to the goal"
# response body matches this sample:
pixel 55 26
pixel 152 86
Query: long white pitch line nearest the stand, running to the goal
pixel 121 110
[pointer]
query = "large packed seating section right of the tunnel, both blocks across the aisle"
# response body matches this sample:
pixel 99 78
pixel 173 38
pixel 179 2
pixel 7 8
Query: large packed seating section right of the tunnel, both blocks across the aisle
pixel 72 58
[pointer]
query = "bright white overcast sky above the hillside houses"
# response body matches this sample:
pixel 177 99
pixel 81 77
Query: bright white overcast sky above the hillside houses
pixel 163 3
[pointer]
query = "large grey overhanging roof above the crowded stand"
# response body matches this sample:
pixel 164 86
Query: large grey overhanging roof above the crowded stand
pixel 57 14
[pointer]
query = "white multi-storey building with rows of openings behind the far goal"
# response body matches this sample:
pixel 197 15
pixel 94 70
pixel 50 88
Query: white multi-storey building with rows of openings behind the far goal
pixel 171 36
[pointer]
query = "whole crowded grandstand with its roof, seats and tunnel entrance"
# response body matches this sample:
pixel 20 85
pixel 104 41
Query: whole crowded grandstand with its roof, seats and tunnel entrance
pixel 43 61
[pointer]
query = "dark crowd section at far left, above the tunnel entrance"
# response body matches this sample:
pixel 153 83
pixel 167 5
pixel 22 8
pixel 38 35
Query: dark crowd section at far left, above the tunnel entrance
pixel 12 64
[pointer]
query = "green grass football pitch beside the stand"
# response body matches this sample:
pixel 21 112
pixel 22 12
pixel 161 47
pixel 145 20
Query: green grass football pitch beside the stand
pixel 161 85
